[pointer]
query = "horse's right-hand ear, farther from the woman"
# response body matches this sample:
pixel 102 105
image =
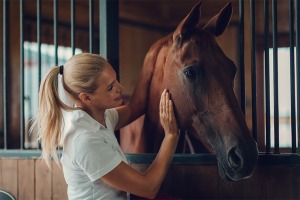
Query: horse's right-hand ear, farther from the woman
pixel 219 22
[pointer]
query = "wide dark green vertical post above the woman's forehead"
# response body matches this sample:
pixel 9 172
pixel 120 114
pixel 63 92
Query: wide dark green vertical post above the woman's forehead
pixel 109 32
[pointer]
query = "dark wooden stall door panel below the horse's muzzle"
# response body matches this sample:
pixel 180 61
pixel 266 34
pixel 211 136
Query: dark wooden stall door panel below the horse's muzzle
pixel 204 182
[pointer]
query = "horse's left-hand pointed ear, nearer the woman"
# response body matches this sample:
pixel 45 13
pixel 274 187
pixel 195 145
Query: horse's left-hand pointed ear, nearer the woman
pixel 188 23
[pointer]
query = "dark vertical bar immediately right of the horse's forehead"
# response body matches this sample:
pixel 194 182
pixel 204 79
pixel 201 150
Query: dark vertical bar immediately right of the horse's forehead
pixel 241 55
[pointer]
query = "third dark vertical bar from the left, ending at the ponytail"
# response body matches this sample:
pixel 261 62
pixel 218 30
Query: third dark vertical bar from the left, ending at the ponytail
pixel 38 35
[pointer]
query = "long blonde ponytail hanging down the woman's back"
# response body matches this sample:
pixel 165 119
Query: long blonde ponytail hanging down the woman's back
pixel 49 119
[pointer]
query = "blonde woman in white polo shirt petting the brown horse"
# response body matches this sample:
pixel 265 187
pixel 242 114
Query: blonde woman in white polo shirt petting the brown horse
pixel 93 164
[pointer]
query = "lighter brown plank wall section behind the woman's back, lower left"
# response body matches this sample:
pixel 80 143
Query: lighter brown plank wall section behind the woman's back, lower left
pixel 30 179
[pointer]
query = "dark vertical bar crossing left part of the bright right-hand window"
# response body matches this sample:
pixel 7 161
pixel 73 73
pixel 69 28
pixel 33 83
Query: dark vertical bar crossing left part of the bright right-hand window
pixel 275 77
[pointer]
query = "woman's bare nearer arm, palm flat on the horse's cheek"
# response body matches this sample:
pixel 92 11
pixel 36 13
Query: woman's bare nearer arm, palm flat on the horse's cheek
pixel 125 178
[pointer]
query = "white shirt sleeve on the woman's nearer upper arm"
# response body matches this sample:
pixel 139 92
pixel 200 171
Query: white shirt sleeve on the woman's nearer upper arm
pixel 95 155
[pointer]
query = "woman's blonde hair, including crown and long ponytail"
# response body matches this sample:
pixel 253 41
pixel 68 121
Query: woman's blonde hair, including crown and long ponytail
pixel 79 75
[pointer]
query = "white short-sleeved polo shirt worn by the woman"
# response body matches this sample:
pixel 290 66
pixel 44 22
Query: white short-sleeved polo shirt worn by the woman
pixel 90 151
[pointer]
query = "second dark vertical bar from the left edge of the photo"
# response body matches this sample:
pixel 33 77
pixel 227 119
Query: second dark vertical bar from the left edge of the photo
pixel 22 116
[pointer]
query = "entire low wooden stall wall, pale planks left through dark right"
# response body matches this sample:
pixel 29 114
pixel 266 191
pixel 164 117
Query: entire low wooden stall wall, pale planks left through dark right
pixel 30 179
